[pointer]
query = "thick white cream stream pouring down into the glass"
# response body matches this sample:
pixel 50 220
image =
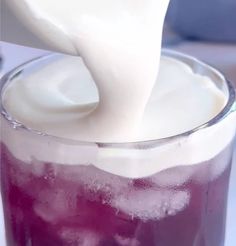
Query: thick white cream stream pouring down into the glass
pixel 120 43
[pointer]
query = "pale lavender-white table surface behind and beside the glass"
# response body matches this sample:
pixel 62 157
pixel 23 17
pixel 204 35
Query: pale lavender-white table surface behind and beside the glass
pixel 221 56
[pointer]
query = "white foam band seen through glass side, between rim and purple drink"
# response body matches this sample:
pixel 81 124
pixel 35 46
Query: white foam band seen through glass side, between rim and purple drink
pixel 132 163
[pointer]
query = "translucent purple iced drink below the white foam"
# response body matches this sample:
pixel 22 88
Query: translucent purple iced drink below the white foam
pixel 53 205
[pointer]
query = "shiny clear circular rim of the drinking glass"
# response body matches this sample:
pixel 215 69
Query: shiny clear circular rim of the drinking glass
pixel 228 108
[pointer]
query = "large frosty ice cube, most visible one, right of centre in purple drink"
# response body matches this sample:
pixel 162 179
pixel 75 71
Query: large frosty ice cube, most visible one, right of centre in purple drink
pixel 152 204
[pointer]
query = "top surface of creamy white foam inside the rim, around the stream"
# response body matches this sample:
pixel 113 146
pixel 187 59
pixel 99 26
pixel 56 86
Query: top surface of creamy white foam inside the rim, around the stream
pixel 59 98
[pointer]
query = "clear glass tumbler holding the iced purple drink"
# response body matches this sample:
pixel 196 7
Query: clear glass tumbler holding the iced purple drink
pixel 62 192
